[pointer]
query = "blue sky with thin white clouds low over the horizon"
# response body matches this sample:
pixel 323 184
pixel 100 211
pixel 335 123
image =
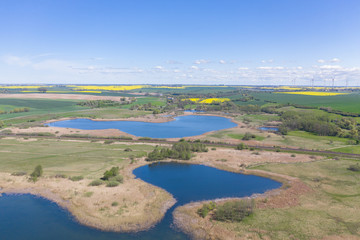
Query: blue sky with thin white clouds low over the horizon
pixel 231 42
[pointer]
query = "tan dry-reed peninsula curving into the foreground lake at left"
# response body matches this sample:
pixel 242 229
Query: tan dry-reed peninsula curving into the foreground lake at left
pixel 142 219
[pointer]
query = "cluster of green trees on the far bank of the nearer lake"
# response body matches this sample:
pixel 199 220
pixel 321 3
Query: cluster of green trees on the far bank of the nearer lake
pixel 181 150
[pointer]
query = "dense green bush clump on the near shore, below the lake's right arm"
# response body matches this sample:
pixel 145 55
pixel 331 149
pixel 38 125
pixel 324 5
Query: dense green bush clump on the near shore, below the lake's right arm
pixel 234 211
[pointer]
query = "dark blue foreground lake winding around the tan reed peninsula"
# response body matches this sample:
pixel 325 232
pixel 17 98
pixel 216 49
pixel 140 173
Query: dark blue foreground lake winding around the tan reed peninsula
pixel 29 217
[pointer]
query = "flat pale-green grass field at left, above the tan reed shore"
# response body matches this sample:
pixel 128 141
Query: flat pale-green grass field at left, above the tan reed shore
pixel 89 159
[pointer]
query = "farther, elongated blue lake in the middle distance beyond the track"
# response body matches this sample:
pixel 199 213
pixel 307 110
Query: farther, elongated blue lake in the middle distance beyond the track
pixel 184 126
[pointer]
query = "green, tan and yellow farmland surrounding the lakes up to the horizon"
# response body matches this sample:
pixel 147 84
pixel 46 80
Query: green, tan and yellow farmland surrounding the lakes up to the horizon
pixel 331 190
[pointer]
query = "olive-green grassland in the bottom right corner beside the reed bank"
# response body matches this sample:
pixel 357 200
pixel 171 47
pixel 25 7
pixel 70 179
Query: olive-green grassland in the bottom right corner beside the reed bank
pixel 329 210
